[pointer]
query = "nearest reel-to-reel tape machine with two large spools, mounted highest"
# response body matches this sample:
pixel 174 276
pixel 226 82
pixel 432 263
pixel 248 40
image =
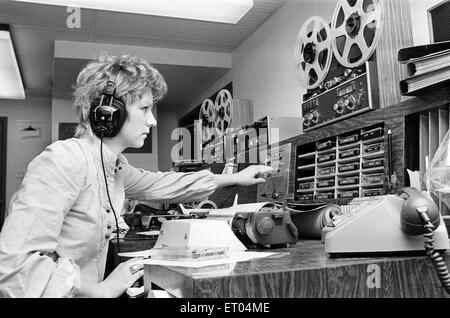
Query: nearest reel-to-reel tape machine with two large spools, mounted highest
pixel 336 64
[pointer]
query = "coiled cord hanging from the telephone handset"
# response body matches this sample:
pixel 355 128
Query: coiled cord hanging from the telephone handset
pixel 435 257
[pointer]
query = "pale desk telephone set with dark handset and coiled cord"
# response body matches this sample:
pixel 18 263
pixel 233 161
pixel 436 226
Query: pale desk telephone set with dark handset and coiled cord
pixel 406 222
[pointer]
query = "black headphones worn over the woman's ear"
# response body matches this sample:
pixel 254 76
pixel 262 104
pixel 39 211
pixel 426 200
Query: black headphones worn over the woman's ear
pixel 108 112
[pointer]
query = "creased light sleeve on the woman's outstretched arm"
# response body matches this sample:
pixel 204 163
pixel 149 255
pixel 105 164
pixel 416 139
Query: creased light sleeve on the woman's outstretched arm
pixel 168 187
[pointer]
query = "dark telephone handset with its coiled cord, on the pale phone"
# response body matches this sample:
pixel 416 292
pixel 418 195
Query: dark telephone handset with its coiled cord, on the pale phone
pixel 420 215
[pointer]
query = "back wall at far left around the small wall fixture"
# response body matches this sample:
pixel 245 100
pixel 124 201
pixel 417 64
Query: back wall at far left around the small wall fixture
pixel 20 151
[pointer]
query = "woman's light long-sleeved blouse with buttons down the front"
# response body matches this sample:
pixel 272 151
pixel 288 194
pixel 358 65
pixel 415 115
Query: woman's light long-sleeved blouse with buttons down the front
pixel 60 221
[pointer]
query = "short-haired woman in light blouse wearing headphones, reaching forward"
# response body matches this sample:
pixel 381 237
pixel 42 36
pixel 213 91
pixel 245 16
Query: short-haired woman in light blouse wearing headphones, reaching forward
pixel 54 241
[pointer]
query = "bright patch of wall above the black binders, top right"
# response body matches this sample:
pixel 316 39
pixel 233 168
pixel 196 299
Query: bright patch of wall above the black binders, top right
pixel 419 17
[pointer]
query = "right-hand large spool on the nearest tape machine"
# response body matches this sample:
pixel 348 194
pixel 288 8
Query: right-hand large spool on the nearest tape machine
pixel 356 29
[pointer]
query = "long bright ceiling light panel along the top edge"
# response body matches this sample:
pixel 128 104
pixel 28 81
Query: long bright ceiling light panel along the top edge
pixel 225 11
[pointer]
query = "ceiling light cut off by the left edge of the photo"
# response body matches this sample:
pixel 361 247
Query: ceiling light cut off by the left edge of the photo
pixel 11 85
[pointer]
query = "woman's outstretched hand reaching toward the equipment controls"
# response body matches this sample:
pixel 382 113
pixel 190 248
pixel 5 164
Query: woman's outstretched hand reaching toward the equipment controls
pixel 249 176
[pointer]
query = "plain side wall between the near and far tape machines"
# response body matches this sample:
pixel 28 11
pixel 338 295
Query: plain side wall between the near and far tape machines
pixel 264 65
